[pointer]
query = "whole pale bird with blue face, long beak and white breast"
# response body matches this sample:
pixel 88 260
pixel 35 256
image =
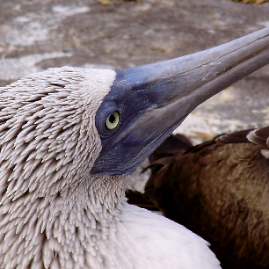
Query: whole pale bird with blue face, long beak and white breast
pixel 69 139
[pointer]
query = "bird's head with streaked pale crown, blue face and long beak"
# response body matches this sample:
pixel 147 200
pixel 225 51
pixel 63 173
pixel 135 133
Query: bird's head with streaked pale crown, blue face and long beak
pixel 65 124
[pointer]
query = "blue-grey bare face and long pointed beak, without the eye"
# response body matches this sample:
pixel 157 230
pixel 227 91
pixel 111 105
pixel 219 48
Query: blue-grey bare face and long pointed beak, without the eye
pixel 152 100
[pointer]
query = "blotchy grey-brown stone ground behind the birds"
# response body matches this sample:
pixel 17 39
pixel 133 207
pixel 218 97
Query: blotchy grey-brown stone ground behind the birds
pixel 37 34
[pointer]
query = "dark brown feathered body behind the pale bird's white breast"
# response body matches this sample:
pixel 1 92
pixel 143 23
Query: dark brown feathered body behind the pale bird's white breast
pixel 219 190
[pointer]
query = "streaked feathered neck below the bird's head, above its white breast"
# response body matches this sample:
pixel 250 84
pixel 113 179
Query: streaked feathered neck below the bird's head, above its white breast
pixel 59 230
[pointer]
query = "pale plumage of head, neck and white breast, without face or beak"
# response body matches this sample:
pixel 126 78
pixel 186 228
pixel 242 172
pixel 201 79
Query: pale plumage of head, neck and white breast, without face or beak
pixel 54 213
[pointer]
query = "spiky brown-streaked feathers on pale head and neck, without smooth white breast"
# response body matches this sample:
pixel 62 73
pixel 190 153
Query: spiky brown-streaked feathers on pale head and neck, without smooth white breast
pixel 44 124
